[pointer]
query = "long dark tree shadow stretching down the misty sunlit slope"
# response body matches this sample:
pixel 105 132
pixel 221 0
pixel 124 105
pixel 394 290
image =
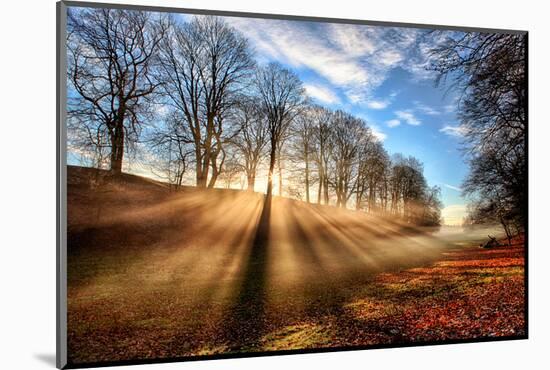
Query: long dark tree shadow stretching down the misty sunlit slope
pixel 246 318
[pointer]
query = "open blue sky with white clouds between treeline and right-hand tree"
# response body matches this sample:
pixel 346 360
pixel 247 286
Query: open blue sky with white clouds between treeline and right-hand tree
pixel 379 74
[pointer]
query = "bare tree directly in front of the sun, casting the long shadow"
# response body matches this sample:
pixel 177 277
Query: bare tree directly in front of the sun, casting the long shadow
pixel 282 97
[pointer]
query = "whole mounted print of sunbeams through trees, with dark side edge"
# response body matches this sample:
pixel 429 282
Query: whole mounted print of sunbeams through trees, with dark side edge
pixel 234 184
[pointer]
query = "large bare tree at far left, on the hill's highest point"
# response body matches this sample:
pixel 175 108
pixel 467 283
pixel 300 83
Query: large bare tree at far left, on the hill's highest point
pixel 110 55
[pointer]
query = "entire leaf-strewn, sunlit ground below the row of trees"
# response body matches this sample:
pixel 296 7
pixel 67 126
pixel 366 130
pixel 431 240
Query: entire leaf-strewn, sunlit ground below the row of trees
pixel 160 274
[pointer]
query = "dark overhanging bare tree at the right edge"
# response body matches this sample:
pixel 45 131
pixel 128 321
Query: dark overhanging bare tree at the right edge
pixel 489 69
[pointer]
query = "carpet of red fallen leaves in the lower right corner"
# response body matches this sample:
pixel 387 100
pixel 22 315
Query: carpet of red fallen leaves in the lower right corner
pixel 471 293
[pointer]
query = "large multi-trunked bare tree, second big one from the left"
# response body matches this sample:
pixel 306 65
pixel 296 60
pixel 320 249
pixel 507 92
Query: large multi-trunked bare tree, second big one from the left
pixel 204 65
